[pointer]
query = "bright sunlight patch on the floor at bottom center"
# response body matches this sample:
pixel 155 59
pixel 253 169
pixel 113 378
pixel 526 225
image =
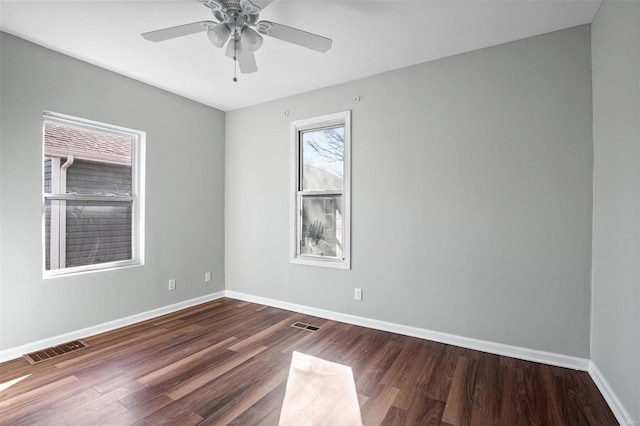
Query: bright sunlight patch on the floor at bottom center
pixel 319 392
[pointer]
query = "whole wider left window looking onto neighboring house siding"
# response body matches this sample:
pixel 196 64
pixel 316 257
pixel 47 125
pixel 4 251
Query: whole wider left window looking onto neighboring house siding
pixel 92 195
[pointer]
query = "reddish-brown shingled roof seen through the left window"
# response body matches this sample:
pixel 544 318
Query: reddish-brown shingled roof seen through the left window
pixel 85 144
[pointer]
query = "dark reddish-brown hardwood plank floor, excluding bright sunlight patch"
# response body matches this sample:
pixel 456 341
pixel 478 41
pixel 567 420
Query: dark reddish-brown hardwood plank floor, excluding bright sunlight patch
pixel 227 361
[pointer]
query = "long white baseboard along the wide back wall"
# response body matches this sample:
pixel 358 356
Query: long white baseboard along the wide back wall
pixel 534 355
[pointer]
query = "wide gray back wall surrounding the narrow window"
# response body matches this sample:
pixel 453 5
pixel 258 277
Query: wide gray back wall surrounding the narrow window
pixel 472 196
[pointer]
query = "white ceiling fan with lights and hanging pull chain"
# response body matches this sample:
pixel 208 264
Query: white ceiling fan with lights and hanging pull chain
pixel 236 20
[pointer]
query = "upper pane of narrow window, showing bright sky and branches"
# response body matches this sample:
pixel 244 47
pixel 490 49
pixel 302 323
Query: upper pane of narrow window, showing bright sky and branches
pixel 322 159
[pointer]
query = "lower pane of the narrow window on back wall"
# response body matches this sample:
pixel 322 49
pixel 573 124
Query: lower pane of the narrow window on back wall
pixel 322 226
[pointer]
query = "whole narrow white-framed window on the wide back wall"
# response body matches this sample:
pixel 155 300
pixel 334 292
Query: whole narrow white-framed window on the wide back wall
pixel 320 176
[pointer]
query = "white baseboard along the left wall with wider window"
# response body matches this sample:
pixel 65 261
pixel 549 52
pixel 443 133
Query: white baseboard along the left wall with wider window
pixel 18 351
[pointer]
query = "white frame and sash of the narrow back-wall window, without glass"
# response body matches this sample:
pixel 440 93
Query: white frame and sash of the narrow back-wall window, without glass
pixel 342 118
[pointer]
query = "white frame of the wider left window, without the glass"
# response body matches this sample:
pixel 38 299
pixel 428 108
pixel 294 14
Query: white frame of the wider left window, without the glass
pixel 137 197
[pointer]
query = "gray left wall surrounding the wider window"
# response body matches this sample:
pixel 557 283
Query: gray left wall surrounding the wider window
pixel 184 195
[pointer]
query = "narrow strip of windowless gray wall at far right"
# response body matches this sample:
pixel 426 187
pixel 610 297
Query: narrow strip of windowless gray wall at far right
pixel 615 339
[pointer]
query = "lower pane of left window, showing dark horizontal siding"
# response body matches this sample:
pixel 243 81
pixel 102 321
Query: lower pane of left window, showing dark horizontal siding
pixel 94 232
